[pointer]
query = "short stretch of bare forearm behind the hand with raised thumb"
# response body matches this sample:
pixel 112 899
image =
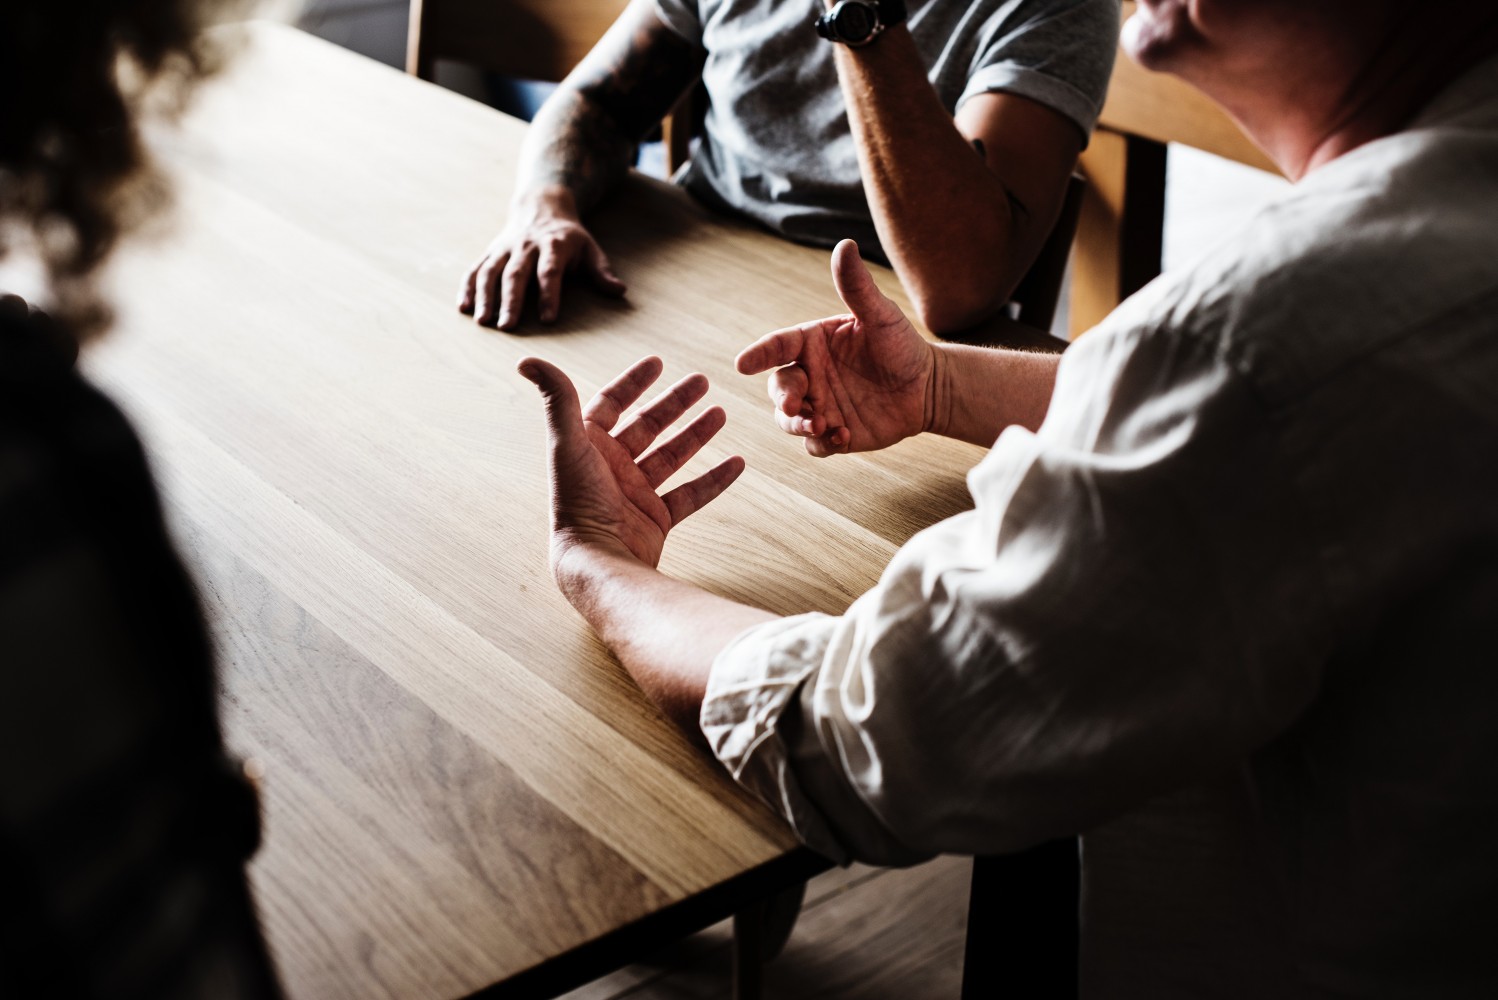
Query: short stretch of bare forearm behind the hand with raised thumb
pixel 979 391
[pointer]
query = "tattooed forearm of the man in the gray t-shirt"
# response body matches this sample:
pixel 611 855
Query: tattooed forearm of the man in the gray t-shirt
pixel 585 137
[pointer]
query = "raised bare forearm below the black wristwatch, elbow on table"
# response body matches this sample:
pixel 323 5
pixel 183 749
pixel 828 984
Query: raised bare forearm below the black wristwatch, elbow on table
pixel 943 216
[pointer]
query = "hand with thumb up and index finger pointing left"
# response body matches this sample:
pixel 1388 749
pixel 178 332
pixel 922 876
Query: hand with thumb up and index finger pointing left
pixel 853 382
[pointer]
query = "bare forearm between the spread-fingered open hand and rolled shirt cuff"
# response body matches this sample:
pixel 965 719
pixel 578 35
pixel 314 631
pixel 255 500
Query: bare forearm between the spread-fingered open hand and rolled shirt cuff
pixel 666 632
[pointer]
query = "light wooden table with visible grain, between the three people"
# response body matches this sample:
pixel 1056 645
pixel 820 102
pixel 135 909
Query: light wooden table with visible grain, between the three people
pixel 464 791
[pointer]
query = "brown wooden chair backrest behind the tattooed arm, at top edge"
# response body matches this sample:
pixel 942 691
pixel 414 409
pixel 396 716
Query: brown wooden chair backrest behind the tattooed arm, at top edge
pixel 528 40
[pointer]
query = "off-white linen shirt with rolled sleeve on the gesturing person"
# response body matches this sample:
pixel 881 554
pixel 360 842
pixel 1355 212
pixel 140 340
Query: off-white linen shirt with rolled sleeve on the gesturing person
pixel 1258 534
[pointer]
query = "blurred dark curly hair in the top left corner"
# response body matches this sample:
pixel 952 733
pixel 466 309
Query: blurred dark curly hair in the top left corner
pixel 79 77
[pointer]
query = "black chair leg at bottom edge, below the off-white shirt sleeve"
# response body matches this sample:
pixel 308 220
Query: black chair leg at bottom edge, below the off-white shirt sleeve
pixel 1022 924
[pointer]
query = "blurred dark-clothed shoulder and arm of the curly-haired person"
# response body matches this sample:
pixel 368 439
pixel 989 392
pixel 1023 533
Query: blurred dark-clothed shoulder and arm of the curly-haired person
pixel 124 824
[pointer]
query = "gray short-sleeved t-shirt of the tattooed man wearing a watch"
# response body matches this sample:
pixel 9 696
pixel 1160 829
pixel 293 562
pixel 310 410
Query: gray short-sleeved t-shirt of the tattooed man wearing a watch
pixel 778 146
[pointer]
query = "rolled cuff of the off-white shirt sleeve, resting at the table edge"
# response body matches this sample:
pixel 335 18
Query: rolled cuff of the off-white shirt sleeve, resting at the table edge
pixel 754 683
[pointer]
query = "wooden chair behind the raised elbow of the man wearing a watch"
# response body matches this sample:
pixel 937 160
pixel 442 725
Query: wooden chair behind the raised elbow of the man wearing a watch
pixel 1121 231
